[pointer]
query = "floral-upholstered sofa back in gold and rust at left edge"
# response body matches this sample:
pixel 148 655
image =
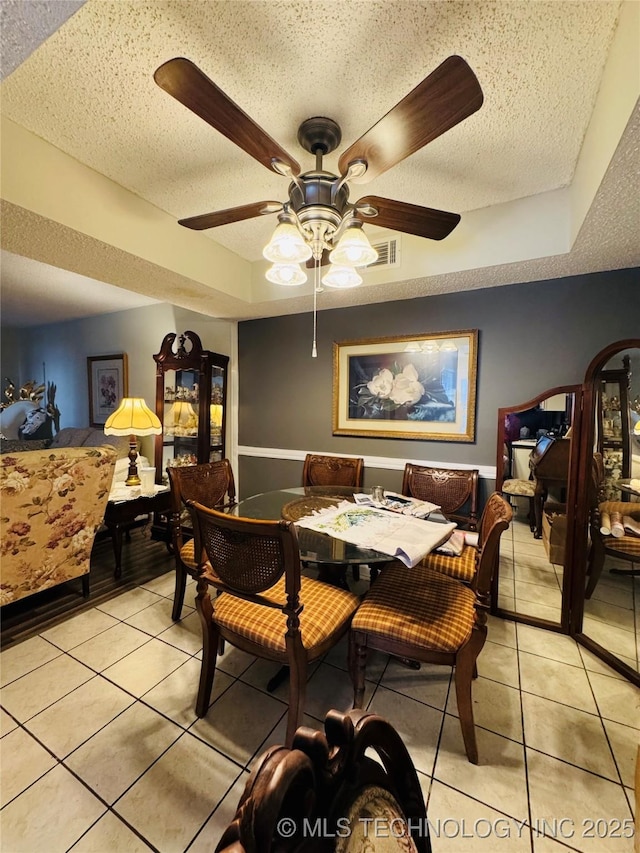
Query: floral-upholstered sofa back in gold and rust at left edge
pixel 52 502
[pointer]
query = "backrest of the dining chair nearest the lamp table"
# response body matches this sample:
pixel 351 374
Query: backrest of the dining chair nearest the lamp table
pixel 211 484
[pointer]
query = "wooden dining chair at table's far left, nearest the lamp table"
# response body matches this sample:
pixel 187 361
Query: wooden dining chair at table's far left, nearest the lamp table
pixel 213 485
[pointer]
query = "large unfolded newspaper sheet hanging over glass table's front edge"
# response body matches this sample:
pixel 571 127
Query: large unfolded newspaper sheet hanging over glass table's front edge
pixel 401 536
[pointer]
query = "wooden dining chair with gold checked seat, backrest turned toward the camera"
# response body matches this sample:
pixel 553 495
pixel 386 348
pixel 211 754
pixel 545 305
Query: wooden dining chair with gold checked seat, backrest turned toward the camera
pixel 263 604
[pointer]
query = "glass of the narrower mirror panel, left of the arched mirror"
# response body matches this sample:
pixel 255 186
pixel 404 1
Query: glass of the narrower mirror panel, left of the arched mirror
pixel 534 452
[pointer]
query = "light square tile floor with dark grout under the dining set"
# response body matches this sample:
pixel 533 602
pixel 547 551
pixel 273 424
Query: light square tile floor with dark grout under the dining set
pixel 101 750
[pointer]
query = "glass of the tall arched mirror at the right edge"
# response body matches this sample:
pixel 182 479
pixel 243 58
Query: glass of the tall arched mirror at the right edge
pixel 611 585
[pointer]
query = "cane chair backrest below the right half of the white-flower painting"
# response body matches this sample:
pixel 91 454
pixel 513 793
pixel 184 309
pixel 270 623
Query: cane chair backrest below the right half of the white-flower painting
pixel 450 488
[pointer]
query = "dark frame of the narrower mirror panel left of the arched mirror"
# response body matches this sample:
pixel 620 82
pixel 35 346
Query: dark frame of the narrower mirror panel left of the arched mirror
pixel 563 625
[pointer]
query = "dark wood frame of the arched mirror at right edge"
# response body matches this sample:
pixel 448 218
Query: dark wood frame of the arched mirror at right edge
pixel 577 533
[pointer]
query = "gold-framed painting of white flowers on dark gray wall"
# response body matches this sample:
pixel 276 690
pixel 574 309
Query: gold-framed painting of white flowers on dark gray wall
pixel 419 387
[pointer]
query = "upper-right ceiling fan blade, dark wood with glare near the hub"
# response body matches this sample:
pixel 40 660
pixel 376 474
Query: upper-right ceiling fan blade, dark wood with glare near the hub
pixel 448 95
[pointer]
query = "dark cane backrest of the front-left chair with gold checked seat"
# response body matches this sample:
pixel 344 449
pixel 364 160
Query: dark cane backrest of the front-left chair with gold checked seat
pixel 247 556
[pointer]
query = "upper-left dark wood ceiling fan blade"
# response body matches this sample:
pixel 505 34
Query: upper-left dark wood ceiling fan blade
pixel 187 84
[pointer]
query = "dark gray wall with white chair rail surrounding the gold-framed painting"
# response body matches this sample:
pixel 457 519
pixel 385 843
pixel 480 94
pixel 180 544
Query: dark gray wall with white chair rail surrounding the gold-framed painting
pixel 532 337
